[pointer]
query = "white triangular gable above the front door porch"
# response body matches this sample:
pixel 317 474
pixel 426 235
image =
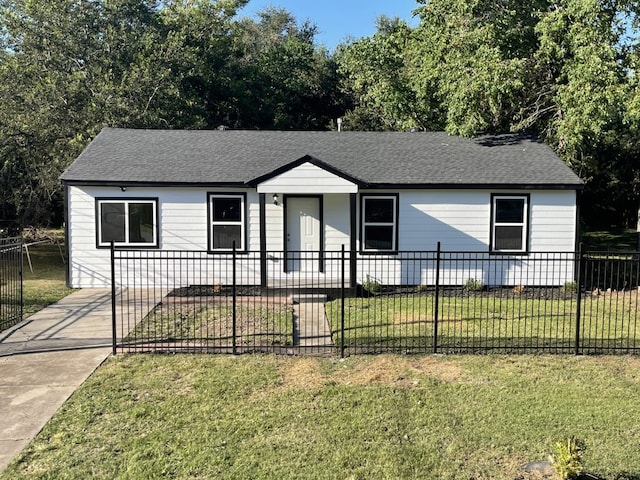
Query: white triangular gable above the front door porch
pixel 307 178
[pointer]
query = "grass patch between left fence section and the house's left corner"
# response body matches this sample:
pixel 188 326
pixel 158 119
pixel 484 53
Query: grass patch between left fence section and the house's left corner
pixel 46 284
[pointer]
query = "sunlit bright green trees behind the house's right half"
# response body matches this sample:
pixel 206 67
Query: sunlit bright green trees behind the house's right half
pixel 565 70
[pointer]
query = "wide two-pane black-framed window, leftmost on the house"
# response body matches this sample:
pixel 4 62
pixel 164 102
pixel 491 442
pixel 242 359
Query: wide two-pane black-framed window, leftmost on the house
pixel 127 222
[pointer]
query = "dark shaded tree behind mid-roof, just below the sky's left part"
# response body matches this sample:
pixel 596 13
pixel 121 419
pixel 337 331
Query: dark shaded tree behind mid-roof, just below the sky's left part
pixel 286 81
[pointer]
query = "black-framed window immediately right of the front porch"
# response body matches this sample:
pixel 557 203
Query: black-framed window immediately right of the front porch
pixel 379 217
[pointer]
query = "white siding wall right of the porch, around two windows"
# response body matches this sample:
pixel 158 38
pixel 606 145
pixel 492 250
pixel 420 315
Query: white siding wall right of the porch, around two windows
pixel 461 221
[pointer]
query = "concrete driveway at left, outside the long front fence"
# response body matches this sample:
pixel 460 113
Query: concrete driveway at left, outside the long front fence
pixel 44 359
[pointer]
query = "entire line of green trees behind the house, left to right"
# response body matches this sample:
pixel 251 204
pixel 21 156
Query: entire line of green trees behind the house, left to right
pixel 565 70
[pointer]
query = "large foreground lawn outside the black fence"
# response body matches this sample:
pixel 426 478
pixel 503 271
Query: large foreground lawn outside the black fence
pixel 395 417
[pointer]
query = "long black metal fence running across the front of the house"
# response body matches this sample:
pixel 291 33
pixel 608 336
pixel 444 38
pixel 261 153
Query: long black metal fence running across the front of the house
pixel 343 303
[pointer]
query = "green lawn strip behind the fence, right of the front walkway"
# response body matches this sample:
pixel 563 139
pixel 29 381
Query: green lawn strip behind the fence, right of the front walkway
pixel 485 321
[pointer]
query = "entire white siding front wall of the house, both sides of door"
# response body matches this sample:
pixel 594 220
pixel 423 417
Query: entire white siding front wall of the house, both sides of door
pixel 459 219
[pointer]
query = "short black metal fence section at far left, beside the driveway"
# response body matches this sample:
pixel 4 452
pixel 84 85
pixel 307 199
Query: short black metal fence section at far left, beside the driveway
pixel 11 299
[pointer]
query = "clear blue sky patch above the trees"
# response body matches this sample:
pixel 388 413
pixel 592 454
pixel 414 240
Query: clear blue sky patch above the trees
pixel 338 20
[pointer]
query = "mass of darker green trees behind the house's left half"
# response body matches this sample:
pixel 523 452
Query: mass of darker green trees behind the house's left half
pixel 69 68
